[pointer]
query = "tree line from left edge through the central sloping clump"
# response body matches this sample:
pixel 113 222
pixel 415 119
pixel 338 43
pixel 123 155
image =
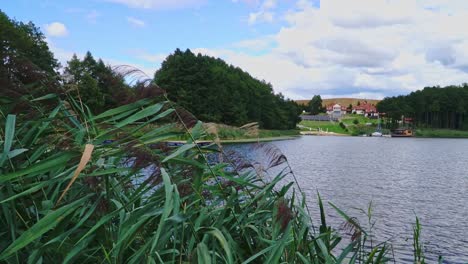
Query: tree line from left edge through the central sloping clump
pixel 208 87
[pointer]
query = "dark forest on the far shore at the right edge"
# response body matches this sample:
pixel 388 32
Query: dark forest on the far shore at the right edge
pixel 432 107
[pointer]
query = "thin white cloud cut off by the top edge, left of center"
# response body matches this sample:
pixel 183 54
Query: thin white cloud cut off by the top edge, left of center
pixel 160 4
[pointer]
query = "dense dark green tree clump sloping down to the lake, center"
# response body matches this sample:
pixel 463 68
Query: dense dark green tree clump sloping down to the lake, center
pixel 217 92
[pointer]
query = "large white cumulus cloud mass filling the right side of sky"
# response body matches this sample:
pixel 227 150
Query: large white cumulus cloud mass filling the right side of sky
pixel 360 48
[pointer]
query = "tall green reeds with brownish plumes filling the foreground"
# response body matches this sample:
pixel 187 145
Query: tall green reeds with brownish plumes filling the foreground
pixel 80 188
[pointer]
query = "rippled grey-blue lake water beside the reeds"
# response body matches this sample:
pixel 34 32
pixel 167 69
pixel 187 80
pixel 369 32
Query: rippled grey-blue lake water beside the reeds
pixel 403 177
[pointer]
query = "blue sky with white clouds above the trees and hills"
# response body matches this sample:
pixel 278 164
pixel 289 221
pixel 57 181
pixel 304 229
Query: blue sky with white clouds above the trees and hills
pixel 335 48
